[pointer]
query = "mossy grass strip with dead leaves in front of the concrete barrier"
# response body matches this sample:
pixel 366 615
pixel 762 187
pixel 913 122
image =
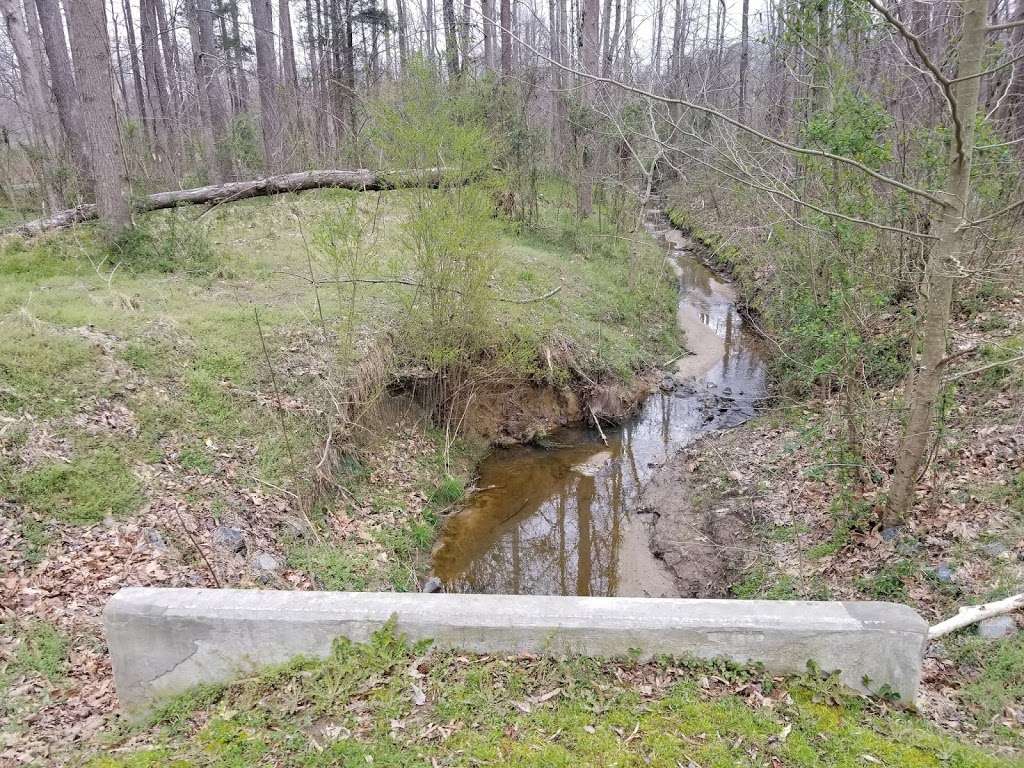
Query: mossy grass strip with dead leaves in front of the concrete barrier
pixel 386 704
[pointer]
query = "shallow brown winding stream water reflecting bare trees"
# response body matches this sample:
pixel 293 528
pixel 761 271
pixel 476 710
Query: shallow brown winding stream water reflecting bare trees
pixel 564 522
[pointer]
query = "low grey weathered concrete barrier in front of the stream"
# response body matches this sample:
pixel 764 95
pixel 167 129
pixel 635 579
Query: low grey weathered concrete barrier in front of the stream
pixel 163 642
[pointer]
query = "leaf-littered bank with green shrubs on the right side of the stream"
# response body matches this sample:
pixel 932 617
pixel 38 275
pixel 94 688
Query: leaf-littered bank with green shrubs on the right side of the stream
pixel 812 474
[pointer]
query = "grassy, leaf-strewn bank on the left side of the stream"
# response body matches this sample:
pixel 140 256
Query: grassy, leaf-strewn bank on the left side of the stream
pixel 178 411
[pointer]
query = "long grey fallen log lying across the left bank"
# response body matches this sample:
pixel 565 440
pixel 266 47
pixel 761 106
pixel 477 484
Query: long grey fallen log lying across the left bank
pixel 360 180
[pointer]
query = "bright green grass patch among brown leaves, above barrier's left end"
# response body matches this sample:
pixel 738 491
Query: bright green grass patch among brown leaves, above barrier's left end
pixel 83 492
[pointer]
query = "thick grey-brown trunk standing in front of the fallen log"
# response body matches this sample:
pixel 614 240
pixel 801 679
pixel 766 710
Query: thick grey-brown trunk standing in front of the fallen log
pixel 88 27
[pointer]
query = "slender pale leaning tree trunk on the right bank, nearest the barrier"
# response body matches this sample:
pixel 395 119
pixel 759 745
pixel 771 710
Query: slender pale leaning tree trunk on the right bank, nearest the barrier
pixel 941 274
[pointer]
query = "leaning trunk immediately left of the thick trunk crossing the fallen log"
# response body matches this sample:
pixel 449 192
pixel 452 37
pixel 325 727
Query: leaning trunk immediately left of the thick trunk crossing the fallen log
pixel 64 88
